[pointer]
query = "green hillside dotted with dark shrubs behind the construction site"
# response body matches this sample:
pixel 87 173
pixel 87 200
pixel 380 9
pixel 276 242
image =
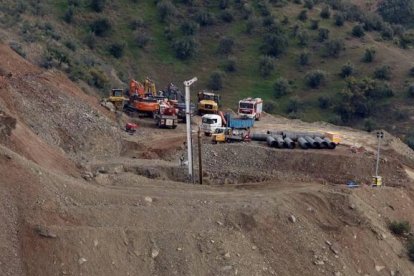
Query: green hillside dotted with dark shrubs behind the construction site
pixel 336 61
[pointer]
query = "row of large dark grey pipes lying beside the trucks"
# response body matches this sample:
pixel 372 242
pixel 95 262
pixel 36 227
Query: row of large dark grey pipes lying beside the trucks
pixel 305 140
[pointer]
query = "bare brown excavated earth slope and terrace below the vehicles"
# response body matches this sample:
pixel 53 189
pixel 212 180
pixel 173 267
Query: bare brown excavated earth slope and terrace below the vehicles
pixel 80 197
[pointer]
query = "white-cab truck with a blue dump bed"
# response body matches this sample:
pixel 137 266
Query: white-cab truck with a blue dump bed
pixel 210 122
